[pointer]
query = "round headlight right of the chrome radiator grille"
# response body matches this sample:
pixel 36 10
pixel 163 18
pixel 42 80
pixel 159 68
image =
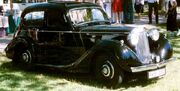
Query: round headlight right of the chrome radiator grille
pixel 154 34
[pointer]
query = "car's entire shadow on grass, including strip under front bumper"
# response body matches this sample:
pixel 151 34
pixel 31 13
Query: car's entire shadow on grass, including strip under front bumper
pixel 17 74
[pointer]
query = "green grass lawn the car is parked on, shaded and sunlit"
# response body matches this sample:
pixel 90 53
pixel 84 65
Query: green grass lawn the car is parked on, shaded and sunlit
pixel 14 78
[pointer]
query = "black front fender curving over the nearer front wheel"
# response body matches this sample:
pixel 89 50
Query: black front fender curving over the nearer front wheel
pixel 126 57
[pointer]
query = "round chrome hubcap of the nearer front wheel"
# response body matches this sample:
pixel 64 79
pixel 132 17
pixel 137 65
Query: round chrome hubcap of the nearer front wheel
pixel 107 70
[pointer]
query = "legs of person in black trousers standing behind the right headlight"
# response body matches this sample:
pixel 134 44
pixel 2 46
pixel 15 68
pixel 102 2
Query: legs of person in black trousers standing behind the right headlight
pixel 153 5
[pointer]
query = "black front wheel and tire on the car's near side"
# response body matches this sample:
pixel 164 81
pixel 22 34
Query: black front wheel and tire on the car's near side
pixel 108 72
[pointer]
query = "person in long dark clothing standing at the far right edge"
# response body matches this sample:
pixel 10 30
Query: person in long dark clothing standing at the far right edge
pixel 171 16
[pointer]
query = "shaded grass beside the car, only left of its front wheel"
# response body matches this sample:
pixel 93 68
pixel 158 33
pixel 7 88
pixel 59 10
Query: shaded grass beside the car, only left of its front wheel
pixel 17 74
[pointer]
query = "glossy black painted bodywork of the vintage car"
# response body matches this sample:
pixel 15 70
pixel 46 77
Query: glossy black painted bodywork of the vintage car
pixel 74 47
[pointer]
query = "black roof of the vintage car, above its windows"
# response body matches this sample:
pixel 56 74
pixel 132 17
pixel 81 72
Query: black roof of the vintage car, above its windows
pixel 61 5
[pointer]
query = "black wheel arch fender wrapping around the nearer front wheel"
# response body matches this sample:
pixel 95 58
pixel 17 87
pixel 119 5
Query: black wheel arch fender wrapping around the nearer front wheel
pixel 124 56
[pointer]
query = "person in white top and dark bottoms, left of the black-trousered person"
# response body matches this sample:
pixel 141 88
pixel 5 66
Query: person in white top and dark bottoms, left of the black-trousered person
pixel 139 7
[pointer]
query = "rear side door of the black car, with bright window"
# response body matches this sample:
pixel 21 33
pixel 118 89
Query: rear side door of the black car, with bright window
pixel 33 24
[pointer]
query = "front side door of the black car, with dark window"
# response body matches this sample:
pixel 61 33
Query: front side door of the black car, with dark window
pixel 61 45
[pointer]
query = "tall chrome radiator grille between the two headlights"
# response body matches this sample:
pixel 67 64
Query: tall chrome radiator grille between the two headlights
pixel 142 48
